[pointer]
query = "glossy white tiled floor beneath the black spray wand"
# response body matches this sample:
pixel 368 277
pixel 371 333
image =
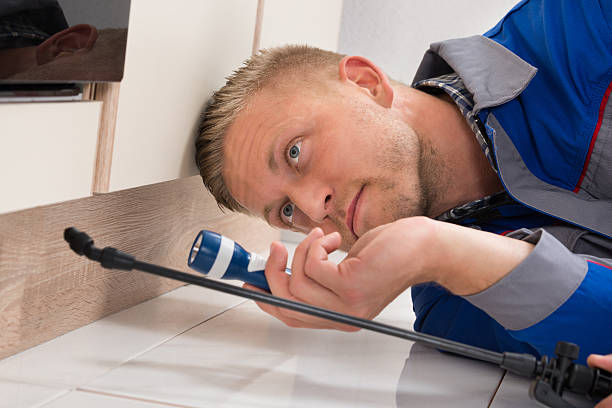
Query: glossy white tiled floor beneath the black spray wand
pixel 194 347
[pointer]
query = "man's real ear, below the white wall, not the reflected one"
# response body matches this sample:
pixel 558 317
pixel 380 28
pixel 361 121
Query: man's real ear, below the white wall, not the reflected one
pixel 363 73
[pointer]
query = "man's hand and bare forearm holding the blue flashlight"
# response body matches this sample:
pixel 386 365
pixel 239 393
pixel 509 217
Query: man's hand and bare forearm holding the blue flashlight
pixel 383 263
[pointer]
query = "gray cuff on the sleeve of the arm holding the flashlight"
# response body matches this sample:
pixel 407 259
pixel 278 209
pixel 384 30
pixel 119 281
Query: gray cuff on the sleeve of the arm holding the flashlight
pixel 546 278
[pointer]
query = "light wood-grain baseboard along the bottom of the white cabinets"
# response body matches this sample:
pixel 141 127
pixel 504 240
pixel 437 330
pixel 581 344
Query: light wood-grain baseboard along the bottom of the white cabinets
pixel 47 290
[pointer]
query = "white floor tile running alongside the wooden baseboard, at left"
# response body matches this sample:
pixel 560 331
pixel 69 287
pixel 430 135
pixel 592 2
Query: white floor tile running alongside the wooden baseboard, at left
pixel 93 350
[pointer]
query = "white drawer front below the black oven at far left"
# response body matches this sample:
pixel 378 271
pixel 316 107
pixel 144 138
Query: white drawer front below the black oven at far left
pixel 47 152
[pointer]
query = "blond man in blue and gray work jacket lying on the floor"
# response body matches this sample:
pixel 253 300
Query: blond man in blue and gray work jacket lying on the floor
pixel 486 187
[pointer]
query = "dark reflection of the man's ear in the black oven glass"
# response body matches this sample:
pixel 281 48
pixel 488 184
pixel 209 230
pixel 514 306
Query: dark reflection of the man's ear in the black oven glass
pixel 78 38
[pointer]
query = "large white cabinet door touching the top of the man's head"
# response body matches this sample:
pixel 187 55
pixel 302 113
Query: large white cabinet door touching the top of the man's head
pixel 178 53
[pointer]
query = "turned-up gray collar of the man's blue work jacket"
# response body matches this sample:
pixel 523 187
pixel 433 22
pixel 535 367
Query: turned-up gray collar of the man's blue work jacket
pixel 491 72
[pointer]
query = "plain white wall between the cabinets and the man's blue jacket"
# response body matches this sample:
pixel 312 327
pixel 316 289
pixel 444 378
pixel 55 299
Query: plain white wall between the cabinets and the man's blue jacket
pixel 396 33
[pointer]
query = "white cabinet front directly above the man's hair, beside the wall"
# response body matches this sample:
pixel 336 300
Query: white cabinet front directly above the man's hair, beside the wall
pixel 313 22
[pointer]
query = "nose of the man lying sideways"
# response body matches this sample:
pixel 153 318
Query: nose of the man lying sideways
pixel 314 199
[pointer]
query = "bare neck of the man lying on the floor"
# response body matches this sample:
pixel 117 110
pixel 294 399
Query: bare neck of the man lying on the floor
pixel 465 174
